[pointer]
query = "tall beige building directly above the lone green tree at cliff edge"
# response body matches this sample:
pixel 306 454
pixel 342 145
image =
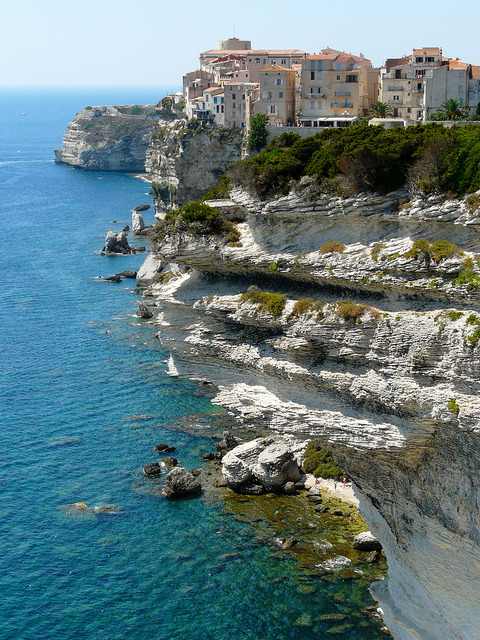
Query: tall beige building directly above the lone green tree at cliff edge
pixel 276 95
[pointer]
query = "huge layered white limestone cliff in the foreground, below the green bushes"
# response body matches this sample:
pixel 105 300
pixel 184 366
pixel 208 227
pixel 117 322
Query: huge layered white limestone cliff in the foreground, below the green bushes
pixel 370 346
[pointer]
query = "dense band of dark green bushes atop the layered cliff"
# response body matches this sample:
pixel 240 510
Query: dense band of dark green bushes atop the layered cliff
pixel 428 158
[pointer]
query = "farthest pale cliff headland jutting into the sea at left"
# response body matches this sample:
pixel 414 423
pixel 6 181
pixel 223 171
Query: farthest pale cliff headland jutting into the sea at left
pixel 108 139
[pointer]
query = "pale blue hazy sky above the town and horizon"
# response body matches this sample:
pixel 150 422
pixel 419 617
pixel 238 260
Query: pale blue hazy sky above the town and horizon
pixel 154 42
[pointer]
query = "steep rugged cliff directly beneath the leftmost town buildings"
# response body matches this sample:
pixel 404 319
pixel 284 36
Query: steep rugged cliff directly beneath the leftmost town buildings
pixel 185 160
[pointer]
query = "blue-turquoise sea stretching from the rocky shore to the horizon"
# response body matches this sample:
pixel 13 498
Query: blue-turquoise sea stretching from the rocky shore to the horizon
pixel 84 398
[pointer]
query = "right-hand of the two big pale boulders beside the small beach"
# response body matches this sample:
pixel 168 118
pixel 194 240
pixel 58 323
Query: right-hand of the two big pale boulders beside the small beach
pixel 276 466
